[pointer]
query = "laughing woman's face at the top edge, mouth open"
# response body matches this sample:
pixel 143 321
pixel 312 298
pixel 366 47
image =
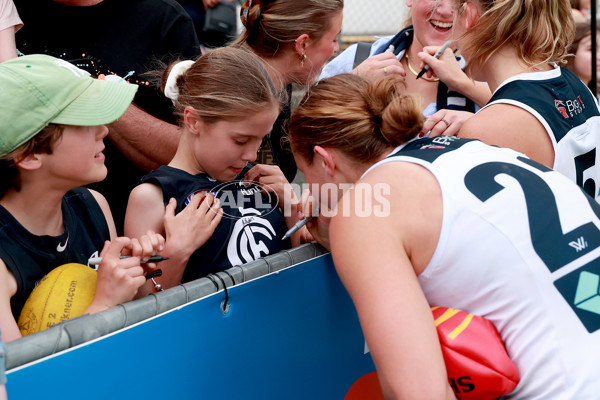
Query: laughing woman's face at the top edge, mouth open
pixel 432 21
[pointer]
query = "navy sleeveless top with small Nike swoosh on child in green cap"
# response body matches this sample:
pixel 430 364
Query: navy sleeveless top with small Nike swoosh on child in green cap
pixel 30 257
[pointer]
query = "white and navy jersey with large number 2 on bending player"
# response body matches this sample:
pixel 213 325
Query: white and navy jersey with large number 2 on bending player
pixel 519 245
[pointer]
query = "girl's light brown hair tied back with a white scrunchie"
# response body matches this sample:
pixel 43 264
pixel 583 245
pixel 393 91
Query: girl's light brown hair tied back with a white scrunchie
pixel 224 84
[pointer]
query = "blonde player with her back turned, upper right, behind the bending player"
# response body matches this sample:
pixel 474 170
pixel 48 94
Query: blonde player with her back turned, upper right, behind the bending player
pixel 538 107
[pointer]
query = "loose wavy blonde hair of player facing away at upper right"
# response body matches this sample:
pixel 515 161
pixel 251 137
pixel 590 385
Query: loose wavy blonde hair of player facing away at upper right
pixel 541 30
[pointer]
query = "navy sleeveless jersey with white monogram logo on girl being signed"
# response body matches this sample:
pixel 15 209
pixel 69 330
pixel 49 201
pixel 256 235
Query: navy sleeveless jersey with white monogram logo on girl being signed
pixel 251 227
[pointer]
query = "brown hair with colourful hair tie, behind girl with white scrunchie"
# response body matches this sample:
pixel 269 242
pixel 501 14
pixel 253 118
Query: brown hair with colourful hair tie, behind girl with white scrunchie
pixel 271 25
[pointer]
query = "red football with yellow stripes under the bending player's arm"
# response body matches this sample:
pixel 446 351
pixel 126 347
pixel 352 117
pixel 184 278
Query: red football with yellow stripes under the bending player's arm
pixel 476 359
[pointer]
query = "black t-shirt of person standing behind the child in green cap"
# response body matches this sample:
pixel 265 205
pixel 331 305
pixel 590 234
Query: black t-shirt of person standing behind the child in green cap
pixel 113 39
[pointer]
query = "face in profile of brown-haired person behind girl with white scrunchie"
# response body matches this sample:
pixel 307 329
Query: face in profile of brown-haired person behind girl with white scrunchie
pixel 318 52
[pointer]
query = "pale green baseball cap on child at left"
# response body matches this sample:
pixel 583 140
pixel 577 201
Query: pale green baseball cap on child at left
pixel 37 89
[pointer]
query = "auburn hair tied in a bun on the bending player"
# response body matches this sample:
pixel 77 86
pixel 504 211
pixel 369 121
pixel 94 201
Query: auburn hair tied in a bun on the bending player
pixel 361 119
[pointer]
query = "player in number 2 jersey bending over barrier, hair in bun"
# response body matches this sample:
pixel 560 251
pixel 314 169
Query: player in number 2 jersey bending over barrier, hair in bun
pixel 451 222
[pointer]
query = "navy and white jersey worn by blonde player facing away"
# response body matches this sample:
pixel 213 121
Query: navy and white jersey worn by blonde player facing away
pixel 569 113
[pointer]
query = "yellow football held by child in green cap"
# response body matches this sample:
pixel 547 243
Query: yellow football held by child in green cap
pixel 66 292
